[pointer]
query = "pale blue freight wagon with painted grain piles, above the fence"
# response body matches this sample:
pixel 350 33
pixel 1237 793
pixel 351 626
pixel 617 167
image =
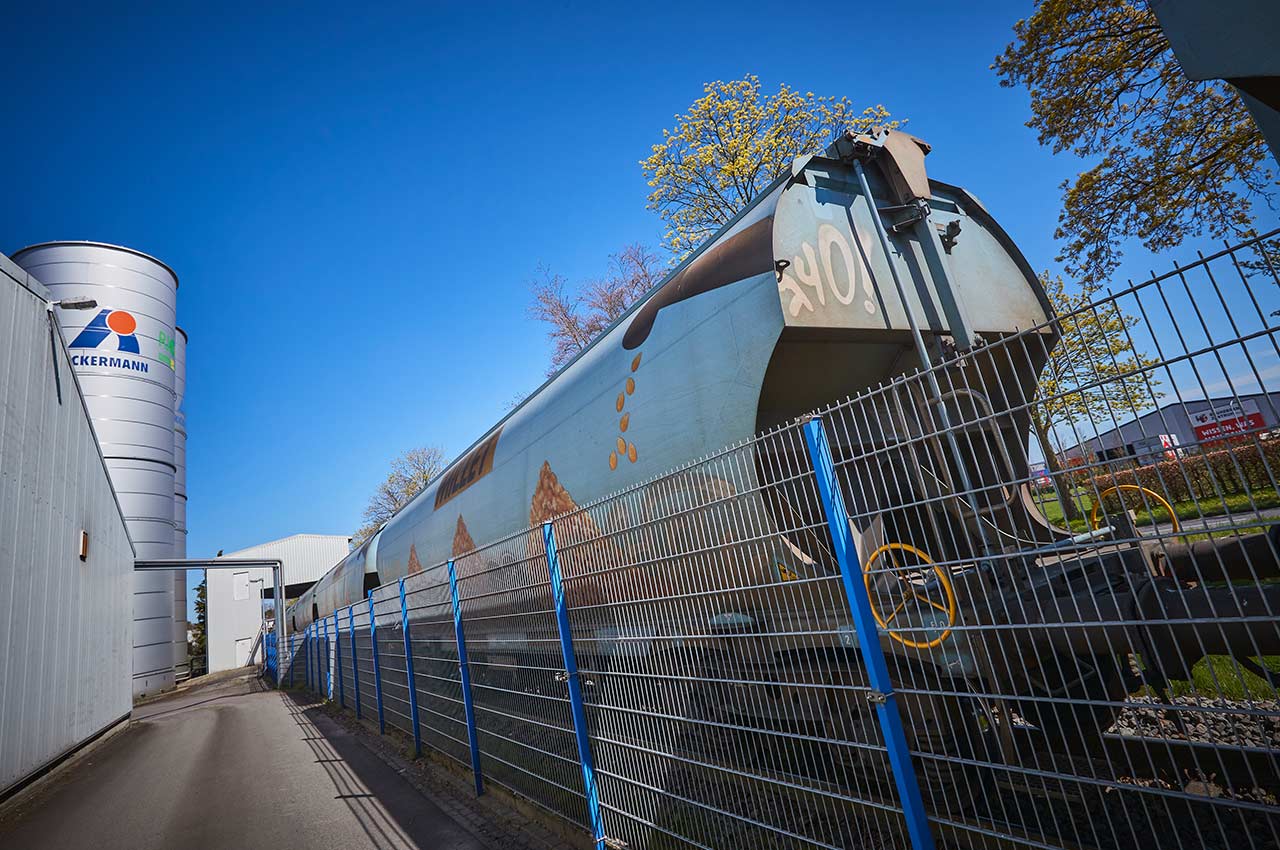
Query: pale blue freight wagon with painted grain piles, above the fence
pixel 788 308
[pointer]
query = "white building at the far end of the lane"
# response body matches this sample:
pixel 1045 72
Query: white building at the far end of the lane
pixel 236 598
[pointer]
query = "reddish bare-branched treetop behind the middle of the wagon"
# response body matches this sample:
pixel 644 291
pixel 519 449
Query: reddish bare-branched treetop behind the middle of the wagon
pixel 579 317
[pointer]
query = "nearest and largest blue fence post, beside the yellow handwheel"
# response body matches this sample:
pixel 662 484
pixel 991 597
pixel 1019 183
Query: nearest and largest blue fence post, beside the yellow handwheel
pixel 868 637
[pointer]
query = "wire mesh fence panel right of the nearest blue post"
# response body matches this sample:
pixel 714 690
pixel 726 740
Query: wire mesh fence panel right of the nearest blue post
pixel 1087 677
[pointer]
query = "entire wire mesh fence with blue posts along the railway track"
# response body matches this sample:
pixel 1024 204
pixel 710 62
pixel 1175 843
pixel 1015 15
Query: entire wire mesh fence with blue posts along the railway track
pixel 986 605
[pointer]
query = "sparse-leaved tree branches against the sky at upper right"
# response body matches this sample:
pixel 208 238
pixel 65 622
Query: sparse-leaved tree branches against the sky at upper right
pixel 1176 158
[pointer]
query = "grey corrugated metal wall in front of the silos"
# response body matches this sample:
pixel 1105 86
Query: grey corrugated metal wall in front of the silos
pixel 65 624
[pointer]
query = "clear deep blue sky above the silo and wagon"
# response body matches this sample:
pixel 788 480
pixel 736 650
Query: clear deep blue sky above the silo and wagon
pixel 355 198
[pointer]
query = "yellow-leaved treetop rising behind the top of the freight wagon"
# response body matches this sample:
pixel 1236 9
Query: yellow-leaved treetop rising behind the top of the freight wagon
pixel 732 144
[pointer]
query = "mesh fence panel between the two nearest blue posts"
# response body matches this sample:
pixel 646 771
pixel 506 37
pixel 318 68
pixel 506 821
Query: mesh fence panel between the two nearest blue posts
pixel 721 714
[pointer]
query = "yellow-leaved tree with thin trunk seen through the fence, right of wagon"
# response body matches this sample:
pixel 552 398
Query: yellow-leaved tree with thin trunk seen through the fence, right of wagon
pixel 1094 377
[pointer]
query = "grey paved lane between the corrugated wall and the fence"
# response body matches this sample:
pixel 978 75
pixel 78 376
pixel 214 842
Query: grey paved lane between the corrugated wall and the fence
pixel 232 766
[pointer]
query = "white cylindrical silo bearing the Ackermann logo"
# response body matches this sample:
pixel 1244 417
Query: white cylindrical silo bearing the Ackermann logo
pixel 124 357
